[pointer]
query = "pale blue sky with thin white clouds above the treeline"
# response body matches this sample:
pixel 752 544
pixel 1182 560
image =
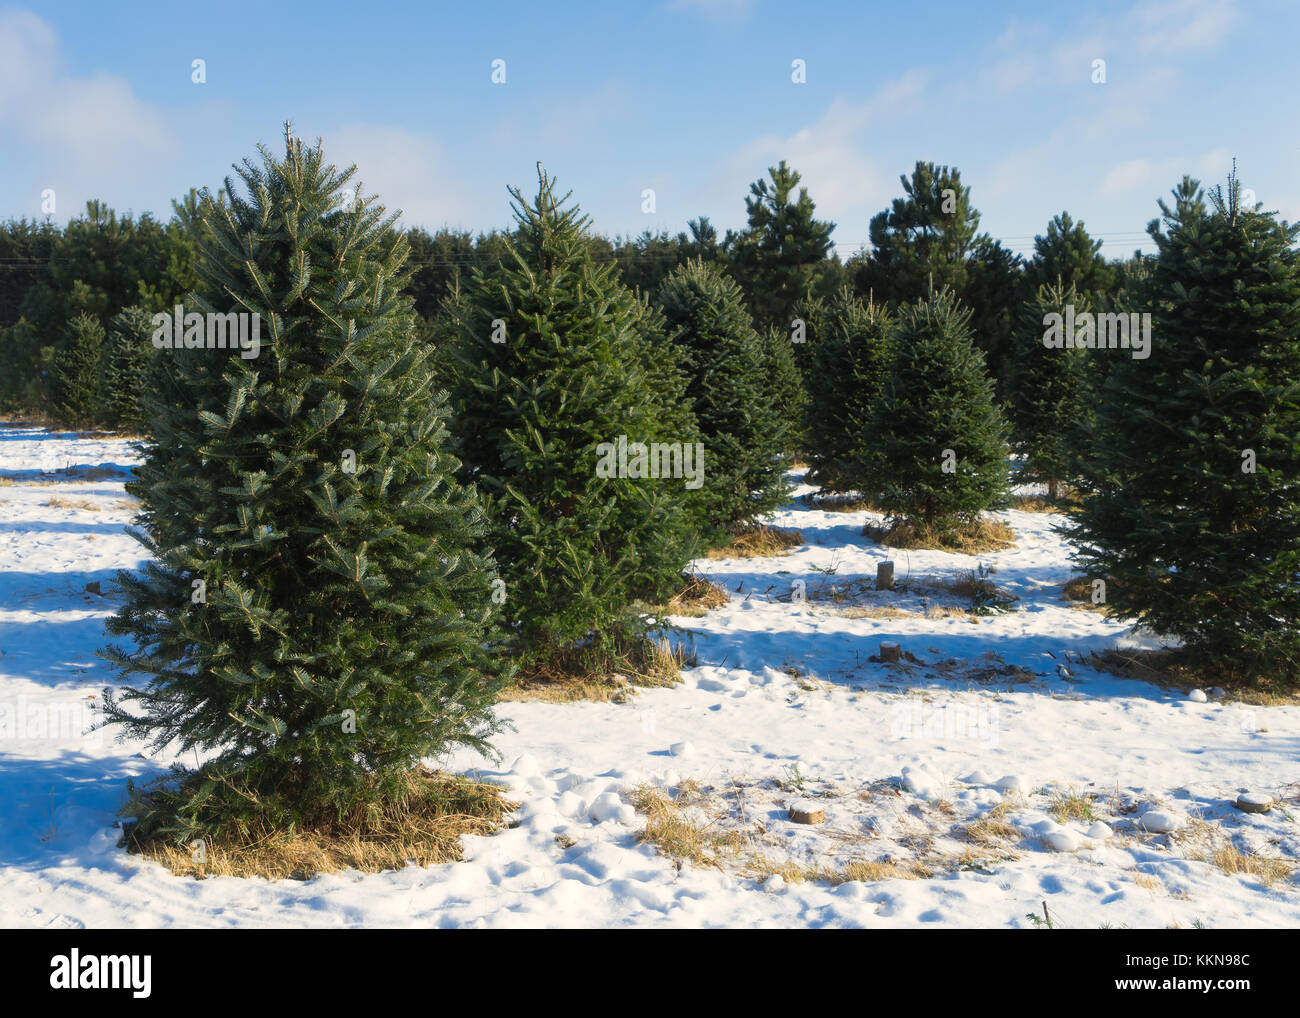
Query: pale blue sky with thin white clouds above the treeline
pixel 691 98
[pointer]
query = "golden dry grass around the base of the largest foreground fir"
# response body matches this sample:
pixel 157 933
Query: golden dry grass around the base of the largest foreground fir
pixel 423 829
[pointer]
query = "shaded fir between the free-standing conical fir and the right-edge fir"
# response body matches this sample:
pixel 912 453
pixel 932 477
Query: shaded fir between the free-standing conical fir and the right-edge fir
pixel 1050 404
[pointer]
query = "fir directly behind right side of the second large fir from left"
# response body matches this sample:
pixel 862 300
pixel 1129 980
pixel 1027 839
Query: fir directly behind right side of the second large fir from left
pixel 722 356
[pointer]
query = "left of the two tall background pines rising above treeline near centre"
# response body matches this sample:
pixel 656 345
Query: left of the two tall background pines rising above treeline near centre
pixel 781 258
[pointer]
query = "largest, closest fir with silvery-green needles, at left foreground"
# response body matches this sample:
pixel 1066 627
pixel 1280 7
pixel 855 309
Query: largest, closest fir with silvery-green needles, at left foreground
pixel 315 616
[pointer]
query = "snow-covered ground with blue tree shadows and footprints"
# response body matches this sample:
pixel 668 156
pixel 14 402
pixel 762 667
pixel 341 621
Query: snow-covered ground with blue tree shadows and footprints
pixel 783 709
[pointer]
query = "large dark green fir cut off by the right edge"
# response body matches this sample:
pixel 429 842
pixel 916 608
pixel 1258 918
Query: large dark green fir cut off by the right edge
pixel 1191 492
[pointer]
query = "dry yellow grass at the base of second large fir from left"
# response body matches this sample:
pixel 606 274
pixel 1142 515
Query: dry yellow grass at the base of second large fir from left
pixel 570 677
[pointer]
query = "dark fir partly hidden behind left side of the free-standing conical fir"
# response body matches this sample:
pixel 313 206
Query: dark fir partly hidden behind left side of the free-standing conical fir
pixel 853 359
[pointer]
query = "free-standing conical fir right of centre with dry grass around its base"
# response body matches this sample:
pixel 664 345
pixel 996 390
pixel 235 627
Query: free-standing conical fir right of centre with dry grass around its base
pixel 937 441
